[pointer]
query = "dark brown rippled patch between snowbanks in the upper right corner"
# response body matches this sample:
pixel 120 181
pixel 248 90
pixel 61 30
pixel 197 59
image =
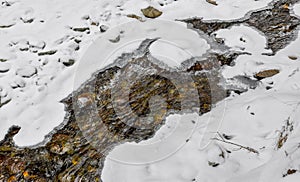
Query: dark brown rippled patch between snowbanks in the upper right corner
pixel 276 22
